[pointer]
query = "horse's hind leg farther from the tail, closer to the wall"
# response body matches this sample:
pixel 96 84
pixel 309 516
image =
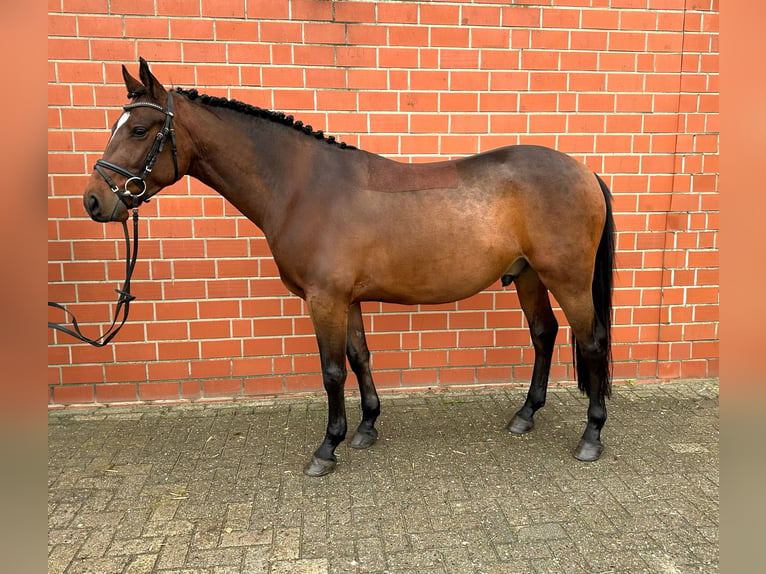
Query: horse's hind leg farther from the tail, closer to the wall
pixel 543 327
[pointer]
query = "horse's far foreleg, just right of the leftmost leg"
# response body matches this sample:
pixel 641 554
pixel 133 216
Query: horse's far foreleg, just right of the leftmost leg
pixel 359 359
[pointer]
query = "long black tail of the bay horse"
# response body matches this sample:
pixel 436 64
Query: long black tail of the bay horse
pixel 603 281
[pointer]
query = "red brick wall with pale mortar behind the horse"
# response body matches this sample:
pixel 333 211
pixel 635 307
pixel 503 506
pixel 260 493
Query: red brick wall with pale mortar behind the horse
pixel 628 86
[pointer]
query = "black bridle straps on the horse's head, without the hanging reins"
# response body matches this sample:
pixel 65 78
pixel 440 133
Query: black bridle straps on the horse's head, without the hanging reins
pixel 167 132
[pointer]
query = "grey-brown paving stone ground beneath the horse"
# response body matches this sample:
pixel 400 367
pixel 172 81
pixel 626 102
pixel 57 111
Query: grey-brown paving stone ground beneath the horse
pixel 218 488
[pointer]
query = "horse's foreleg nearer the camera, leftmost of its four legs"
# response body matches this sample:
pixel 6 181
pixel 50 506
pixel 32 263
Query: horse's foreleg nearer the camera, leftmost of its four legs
pixel 330 318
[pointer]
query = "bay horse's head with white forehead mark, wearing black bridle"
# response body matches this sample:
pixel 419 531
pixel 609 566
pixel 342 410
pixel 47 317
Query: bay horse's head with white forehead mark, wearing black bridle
pixel 141 157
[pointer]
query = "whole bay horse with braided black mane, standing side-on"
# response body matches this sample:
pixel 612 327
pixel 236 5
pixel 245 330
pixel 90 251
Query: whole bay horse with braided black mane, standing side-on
pixel 346 226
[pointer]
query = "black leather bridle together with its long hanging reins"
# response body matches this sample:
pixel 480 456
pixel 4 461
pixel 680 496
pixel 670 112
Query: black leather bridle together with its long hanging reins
pixel 132 201
